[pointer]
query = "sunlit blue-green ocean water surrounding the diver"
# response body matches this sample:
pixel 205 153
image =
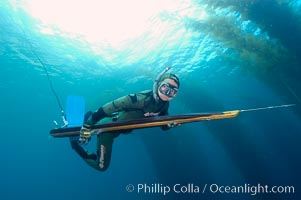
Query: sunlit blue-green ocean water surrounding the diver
pixel 228 55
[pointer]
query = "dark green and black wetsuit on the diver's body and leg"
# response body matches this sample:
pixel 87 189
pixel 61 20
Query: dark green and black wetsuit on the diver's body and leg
pixel 133 106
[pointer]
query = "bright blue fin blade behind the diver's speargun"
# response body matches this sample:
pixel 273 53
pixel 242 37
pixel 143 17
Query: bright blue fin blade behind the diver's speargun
pixel 75 110
